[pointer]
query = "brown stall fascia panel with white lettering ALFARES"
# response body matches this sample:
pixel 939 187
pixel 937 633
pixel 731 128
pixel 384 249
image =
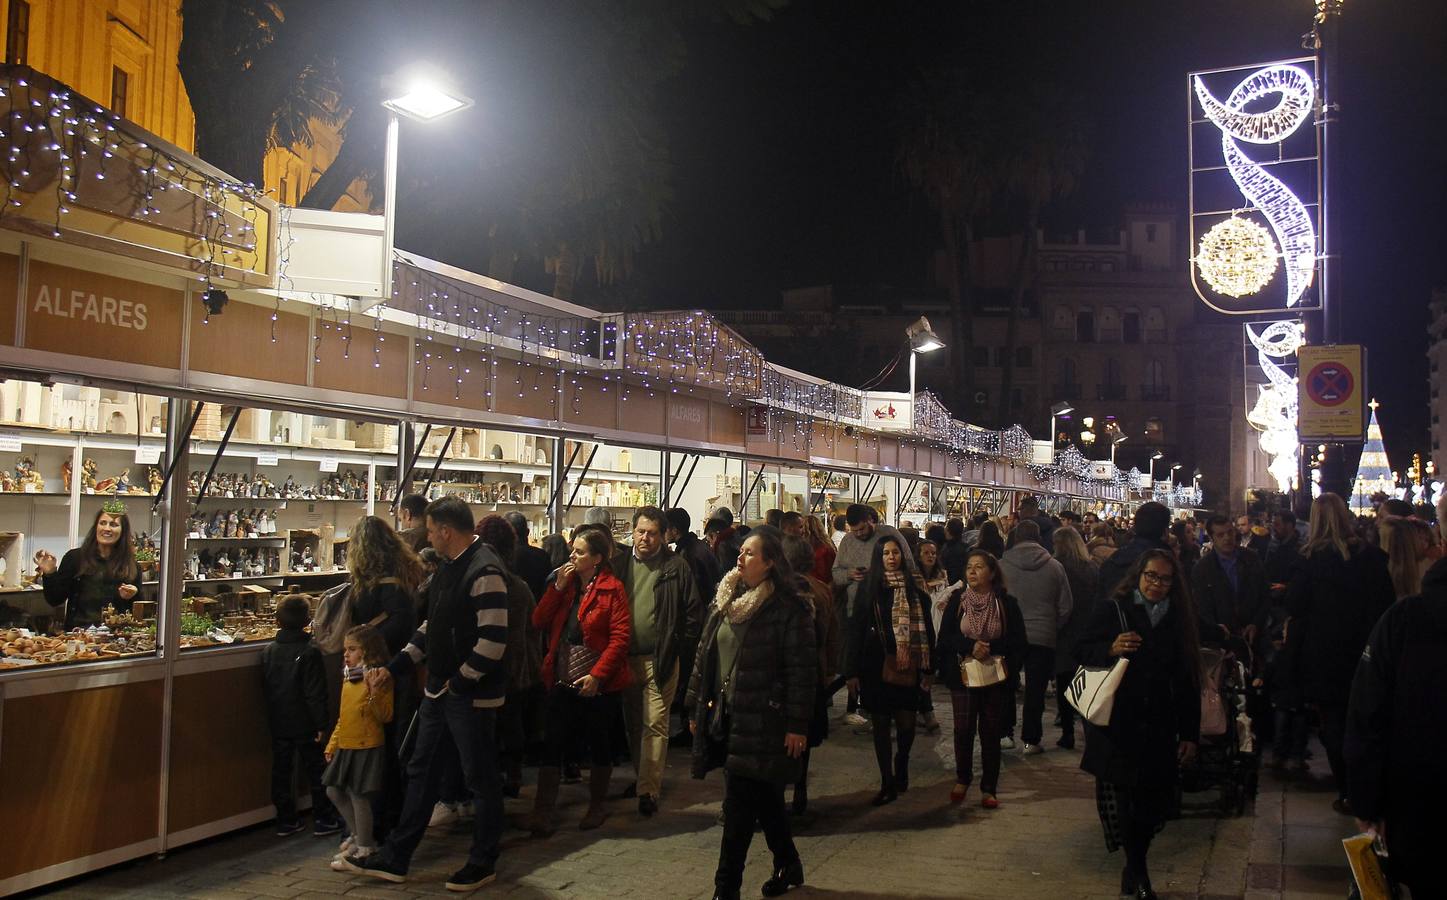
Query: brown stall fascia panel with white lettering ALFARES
pixel 102 318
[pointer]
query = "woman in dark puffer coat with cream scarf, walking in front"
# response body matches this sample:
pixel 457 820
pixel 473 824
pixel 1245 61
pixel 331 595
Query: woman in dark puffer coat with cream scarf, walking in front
pixel 752 698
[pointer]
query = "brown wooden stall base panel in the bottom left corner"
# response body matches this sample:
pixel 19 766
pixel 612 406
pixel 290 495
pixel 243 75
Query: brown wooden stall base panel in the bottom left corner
pixel 80 773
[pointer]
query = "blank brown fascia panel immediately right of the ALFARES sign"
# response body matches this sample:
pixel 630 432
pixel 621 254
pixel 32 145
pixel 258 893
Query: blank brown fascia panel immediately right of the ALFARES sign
pixel 239 344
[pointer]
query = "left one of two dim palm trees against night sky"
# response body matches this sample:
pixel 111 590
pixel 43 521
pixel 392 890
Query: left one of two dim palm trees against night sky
pixel 944 153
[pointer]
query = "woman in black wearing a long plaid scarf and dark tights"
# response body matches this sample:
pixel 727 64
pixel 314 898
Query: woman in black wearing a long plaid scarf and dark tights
pixel 892 659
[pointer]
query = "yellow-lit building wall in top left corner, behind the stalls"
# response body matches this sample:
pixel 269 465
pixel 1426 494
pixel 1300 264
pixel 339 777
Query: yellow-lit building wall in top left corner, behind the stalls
pixel 114 48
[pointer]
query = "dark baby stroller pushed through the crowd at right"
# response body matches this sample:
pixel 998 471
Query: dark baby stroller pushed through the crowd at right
pixel 1228 759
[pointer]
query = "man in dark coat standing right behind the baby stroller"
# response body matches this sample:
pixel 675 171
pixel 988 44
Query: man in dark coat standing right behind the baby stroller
pixel 1229 587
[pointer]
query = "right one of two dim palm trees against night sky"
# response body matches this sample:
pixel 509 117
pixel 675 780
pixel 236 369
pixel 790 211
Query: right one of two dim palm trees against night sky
pixel 1045 154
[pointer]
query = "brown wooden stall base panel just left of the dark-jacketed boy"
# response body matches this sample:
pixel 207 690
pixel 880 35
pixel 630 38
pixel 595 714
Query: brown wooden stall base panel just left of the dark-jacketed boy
pixel 221 749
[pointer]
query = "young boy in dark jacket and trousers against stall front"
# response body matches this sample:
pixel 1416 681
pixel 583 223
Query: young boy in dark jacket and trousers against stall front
pixel 296 691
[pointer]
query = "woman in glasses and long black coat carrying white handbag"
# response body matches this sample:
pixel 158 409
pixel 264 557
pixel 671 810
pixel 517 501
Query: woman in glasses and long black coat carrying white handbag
pixel 1155 720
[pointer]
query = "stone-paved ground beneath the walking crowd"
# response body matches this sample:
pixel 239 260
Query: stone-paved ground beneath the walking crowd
pixel 1044 841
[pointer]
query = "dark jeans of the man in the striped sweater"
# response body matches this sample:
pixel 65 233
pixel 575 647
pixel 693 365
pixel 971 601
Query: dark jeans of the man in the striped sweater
pixel 441 721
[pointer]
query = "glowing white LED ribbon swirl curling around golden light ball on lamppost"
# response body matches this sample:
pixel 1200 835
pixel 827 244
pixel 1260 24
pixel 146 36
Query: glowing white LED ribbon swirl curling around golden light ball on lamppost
pixel 1283 211
